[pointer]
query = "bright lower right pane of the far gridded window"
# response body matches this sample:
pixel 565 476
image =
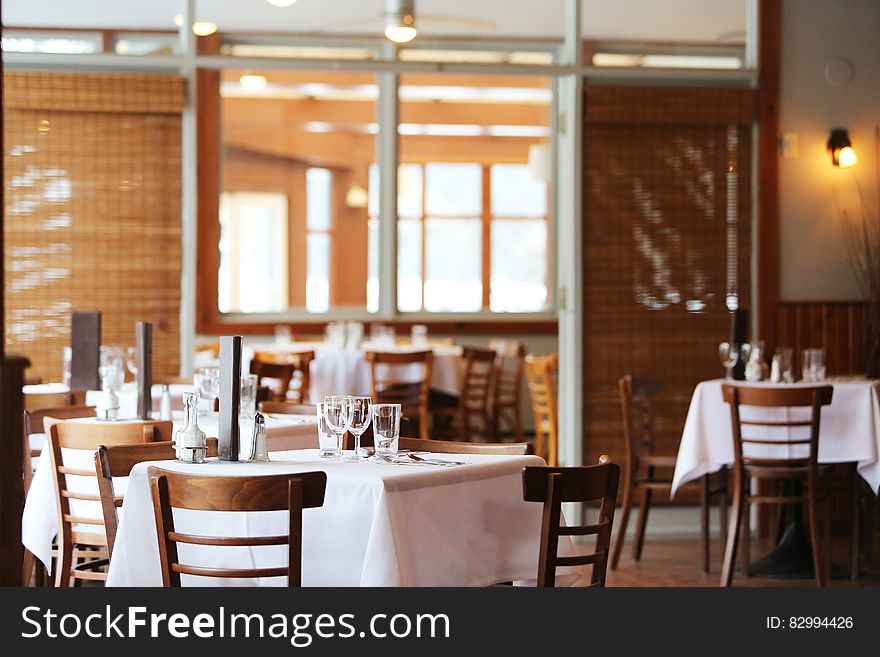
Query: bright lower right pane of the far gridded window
pixel 519 265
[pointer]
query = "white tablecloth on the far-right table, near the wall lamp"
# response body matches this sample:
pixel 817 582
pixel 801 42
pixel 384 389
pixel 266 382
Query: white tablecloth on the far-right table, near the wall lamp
pixel 849 430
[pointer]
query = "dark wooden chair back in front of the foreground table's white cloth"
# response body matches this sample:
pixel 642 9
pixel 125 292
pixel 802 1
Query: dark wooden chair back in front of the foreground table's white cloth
pixel 288 492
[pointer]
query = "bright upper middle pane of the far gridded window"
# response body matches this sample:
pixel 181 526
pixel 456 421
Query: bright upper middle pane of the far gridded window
pixel 453 189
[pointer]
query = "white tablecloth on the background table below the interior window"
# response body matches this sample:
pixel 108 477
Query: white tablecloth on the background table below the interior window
pixel 341 372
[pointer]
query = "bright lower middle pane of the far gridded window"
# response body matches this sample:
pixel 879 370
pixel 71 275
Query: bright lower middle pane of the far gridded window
pixel 453 271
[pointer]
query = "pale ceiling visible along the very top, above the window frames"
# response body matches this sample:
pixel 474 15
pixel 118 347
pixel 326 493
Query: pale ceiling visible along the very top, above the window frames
pixel 641 20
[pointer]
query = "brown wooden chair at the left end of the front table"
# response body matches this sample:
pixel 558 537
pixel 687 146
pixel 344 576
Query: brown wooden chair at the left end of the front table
pixel 117 461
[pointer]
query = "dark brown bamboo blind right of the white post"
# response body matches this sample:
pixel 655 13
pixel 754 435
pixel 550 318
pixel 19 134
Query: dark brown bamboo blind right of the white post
pixel 667 226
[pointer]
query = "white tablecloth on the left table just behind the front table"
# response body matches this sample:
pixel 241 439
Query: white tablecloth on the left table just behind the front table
pixel 39 523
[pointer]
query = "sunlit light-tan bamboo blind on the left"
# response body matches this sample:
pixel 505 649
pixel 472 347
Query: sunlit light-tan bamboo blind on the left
pixel 92 211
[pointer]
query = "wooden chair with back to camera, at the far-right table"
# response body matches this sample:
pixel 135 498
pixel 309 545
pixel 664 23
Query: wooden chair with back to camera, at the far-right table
pixel 795 471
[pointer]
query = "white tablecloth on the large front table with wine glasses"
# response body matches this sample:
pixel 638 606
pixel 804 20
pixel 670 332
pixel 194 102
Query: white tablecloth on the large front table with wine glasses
pixel 381 525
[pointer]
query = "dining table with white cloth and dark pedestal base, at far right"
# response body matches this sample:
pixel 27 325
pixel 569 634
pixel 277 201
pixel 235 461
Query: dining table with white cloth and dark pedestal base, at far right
pixel 849 433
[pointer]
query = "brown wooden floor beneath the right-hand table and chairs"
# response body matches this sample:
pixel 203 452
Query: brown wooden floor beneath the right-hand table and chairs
pixel 677 563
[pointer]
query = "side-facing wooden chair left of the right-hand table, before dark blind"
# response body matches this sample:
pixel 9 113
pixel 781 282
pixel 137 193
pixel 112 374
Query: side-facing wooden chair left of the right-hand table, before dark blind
pixel 637 404
